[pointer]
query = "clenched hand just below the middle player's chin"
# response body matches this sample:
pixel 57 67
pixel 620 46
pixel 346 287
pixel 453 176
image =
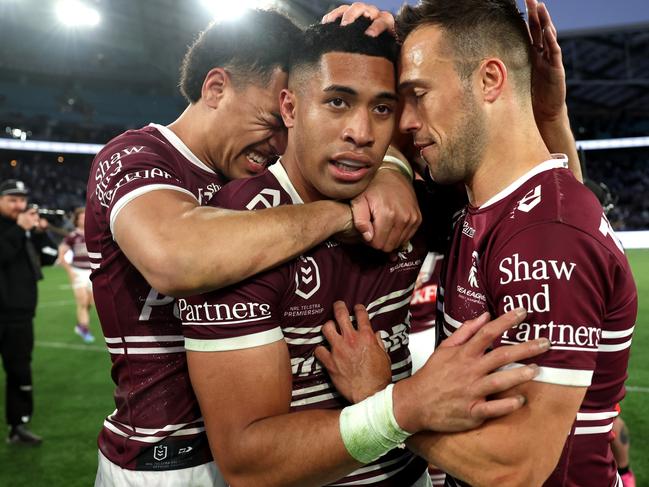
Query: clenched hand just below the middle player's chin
pixel 387 213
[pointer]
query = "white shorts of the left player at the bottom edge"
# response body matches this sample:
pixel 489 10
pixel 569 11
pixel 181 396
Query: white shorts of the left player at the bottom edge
pixel 110 475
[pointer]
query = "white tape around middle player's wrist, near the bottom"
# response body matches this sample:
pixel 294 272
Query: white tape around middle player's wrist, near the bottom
pixel 369 428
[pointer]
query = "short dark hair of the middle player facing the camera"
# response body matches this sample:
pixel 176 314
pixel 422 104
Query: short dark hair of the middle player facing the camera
pixel 320 39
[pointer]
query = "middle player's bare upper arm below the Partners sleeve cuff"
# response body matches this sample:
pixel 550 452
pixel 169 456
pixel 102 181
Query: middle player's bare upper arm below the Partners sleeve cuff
pixel 243 386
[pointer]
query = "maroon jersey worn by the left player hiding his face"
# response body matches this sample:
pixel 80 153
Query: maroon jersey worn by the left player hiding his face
pixel 157 424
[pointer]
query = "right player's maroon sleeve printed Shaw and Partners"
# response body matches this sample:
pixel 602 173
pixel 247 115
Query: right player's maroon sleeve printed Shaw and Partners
pixel 562 276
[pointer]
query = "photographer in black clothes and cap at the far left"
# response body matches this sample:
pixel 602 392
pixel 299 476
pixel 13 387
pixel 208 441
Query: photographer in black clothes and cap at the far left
pixel 24 247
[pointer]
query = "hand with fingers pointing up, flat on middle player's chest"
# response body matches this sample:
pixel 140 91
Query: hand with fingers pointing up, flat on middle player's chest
pixel 357 362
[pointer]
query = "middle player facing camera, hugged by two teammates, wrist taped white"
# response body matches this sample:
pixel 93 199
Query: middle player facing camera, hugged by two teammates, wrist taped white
pixel 280 422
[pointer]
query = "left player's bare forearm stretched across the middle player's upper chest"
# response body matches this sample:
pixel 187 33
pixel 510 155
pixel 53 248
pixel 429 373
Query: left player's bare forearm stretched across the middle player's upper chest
pixel 225 247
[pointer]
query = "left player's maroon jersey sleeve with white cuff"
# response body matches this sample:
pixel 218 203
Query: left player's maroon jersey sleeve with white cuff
pixel 130 167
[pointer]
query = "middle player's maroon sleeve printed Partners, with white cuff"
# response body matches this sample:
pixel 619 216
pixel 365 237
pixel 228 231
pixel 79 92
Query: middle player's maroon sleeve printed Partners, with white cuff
pixel 241 316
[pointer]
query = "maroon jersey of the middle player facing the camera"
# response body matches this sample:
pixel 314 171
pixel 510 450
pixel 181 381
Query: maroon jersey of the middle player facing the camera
pixel 294 300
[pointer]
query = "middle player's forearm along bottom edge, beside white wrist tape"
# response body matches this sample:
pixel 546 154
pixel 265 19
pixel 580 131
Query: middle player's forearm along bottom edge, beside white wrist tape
pixel 296 449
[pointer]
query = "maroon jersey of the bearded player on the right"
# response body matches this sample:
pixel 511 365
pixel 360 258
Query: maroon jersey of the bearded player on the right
pixel 544 244
